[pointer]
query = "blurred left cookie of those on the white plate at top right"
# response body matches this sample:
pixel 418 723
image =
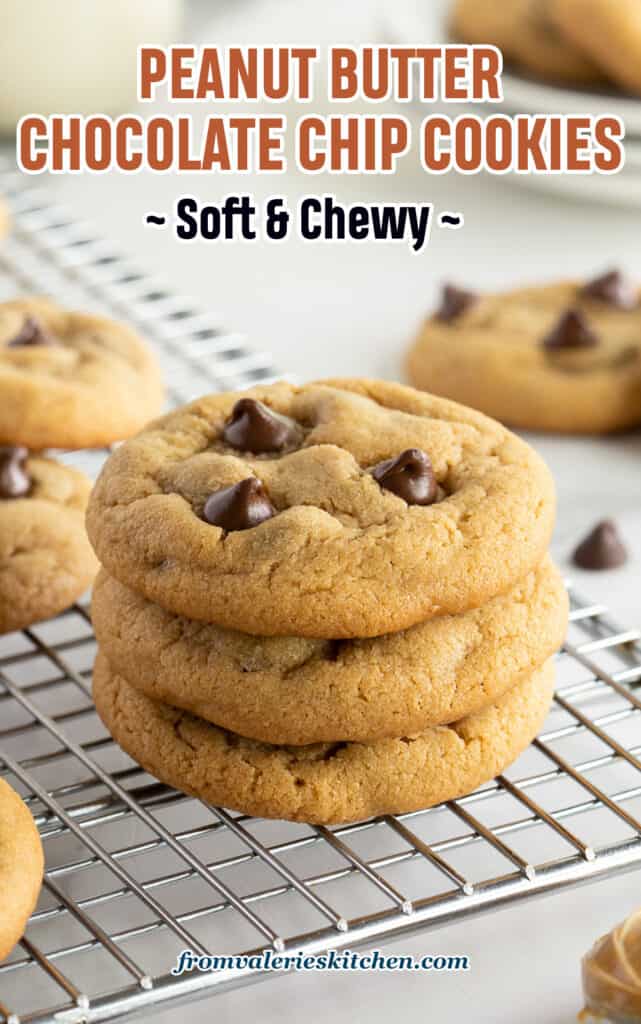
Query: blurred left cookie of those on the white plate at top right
pixel 529 36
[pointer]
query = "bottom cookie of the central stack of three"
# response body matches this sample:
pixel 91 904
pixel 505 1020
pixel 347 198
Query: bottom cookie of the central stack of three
pixel 324 784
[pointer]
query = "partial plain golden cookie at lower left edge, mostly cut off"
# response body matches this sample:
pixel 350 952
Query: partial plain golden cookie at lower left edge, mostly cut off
pixel 22 867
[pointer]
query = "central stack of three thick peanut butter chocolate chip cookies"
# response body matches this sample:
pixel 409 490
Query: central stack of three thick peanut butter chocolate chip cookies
pixel 325 603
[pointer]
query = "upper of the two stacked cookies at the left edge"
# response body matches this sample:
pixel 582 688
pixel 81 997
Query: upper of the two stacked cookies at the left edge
pixel 71 379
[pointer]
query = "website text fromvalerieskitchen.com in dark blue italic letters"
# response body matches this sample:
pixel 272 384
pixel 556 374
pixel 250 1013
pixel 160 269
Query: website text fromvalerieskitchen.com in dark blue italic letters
pixel 333 961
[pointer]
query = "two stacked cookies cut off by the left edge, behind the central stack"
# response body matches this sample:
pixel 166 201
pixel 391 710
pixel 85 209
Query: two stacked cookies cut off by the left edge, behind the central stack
pixel 67 380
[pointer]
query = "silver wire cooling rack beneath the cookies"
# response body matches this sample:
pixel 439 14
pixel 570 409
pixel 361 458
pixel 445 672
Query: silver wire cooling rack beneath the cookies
pixel 138 872
